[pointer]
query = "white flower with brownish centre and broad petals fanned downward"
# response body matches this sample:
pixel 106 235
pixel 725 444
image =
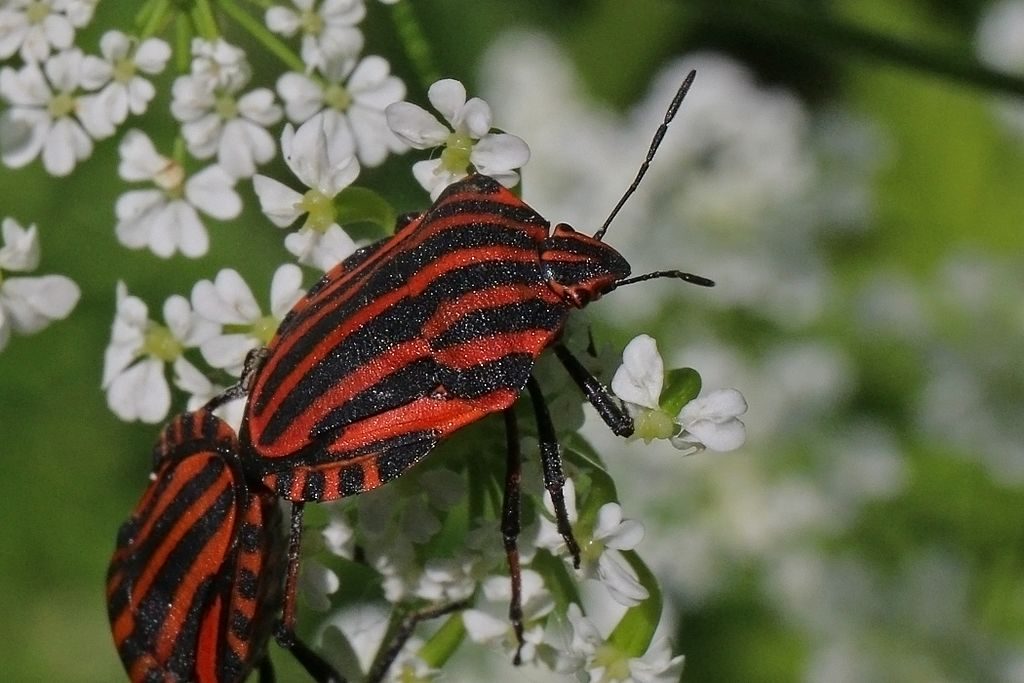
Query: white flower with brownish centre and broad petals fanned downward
pixel 165 219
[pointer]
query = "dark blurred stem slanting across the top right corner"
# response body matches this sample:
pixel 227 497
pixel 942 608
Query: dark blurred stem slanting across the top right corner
pixel 824 34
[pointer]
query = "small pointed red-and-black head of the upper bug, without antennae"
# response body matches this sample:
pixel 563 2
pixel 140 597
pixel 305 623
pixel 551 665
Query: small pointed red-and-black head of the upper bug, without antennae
pixel 581 269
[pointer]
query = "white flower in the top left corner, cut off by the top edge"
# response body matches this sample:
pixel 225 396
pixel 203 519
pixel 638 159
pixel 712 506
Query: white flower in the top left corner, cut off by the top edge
pixel 34 29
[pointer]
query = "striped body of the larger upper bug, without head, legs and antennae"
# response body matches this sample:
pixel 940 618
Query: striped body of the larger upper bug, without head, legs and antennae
pixel 432 331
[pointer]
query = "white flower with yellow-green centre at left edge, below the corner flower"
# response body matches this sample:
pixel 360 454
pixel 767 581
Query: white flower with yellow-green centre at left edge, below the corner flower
pixel 49 116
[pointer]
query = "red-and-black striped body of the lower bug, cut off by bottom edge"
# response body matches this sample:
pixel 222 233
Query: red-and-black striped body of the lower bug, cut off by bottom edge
pixel 195 582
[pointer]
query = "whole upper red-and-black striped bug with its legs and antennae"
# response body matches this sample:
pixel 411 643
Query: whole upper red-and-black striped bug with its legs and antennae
pixel 423 333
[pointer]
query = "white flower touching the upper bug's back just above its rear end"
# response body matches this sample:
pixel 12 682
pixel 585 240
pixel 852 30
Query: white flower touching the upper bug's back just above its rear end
pixel 229 302
